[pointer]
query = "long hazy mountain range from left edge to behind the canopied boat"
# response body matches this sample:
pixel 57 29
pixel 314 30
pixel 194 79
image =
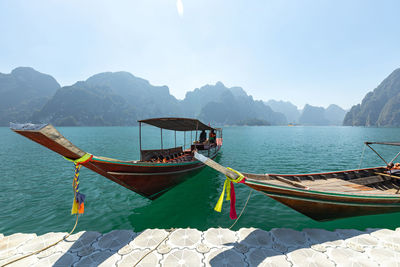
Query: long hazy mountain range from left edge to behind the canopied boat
pixel 120 98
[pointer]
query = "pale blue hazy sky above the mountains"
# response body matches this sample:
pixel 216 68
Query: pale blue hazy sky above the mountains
pixel 316 52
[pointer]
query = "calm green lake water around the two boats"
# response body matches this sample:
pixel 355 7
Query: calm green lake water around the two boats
pixel 36 192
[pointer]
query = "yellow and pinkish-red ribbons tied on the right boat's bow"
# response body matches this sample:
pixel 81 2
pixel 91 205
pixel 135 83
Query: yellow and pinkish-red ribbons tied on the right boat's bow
pixel 230 193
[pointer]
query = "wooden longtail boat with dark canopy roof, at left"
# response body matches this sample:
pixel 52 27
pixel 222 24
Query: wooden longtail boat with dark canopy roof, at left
pixel 155 173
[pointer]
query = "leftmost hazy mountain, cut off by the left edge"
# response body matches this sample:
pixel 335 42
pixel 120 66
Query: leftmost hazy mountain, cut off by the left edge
pixel 23 91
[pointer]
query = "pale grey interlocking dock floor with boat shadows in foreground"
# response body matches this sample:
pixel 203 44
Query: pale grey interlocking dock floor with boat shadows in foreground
pixel 213 247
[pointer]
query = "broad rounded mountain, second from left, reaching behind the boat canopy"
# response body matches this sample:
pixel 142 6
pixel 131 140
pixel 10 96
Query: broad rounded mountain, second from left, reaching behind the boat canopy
pixel 108 98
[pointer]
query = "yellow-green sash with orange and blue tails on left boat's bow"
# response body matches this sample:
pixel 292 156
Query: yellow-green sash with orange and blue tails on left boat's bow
pixel 78 205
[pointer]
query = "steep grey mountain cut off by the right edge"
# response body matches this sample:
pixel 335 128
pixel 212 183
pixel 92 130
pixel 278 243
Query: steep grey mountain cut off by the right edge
pixel 381 107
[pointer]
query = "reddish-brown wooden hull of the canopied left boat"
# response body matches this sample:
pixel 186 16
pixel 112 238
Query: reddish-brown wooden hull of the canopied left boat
pixel 148 179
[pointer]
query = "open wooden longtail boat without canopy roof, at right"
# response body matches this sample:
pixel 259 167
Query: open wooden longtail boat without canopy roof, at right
pixel 329 195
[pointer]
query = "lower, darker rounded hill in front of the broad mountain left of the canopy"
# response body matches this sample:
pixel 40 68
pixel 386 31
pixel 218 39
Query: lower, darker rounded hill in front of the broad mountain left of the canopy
pixel 85 105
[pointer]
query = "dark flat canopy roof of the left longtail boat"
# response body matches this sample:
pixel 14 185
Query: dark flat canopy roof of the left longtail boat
pixel 178 124
